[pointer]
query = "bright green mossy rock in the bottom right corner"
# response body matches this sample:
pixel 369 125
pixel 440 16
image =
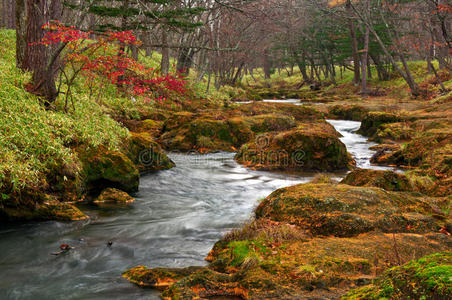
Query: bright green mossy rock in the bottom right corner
pixel 427 278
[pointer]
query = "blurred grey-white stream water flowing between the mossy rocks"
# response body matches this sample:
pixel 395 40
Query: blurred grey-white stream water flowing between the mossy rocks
pixel 177 217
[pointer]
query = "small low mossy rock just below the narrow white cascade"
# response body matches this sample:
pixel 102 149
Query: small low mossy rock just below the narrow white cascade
pixel 388 180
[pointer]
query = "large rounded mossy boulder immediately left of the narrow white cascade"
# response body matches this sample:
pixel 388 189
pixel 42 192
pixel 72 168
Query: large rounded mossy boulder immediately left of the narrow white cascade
pixel 310 146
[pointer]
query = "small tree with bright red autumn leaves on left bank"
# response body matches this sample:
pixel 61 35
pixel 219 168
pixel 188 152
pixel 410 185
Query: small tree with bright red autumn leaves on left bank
pixel 97 58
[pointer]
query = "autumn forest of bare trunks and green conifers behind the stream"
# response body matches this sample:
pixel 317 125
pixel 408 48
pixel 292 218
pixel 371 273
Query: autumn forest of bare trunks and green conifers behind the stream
pixel 225 41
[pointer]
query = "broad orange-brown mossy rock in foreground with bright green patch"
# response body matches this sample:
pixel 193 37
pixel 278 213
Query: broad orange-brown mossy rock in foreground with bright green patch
pixel 292 269
